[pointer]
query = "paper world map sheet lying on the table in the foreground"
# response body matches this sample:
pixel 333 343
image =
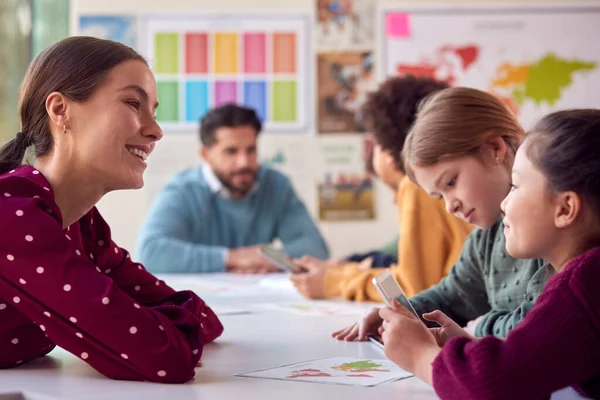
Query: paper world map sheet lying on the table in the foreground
pixel 335 370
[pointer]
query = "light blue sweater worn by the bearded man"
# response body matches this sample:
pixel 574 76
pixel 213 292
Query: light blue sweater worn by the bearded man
pixel 190 227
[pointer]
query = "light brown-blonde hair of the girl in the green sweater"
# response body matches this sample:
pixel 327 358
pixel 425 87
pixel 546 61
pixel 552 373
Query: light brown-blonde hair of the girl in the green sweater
pixel 456 122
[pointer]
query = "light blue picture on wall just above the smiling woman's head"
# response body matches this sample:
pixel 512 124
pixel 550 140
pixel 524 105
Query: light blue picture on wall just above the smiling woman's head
pixel 118 28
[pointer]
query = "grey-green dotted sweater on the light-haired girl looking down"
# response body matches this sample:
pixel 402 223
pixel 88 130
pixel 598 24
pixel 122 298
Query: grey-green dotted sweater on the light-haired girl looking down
pixel 487 281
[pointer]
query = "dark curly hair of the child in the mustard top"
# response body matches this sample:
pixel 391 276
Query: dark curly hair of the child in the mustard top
pixel 392 109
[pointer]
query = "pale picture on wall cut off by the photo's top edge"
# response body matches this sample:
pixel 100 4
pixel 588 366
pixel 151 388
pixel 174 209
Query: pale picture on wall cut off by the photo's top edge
pixel 345 24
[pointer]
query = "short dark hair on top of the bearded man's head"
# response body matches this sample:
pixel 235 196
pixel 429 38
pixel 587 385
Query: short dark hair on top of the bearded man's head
pixel 228 115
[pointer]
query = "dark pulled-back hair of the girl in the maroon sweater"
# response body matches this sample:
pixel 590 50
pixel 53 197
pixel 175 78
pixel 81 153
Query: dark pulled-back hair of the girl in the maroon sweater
pixel 565 147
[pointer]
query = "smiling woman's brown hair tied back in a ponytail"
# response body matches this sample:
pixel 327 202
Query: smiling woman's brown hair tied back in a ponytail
pixel 75 67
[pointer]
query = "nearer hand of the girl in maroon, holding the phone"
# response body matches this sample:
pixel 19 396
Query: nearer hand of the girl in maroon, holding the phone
pixel 407 341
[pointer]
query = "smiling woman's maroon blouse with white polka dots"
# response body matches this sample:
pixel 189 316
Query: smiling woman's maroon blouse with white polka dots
pixel 92 248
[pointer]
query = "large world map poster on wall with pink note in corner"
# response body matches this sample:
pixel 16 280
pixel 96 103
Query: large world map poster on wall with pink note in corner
pixel 531 57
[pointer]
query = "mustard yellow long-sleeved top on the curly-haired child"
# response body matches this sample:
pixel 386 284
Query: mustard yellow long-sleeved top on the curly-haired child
pixel 430 243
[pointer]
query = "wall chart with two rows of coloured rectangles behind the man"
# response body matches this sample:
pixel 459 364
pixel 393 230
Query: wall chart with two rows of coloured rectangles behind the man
pixel 205 61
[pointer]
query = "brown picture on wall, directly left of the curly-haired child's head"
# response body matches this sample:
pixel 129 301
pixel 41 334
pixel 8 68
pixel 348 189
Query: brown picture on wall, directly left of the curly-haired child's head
pixel 343 83
